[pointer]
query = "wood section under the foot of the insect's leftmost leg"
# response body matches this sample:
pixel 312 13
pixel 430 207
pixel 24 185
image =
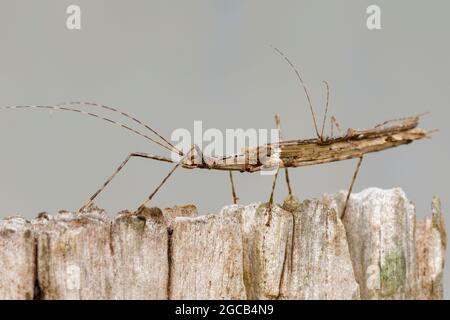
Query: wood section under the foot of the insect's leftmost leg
pixel 74 256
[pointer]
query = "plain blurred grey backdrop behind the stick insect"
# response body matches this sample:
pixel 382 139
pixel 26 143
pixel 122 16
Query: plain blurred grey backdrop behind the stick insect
pixel 173 62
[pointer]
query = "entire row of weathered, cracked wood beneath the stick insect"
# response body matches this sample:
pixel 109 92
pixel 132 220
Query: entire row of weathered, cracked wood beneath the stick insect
pixel 303 251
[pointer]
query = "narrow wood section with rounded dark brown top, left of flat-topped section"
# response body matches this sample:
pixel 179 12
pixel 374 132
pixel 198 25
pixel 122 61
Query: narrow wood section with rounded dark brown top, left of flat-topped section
pixel 140 244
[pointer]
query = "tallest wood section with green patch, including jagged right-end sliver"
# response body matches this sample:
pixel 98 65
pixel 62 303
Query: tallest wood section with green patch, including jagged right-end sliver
pixel 390 251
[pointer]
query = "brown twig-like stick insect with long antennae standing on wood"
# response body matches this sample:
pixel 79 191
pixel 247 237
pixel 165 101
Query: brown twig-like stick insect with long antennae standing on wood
pixel 354 144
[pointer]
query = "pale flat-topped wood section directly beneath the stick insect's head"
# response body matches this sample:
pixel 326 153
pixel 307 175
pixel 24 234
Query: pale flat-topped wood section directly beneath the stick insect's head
pixel 206 258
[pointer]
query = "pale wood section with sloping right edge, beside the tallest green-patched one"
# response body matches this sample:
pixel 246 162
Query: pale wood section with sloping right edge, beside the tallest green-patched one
pixel 321 262
